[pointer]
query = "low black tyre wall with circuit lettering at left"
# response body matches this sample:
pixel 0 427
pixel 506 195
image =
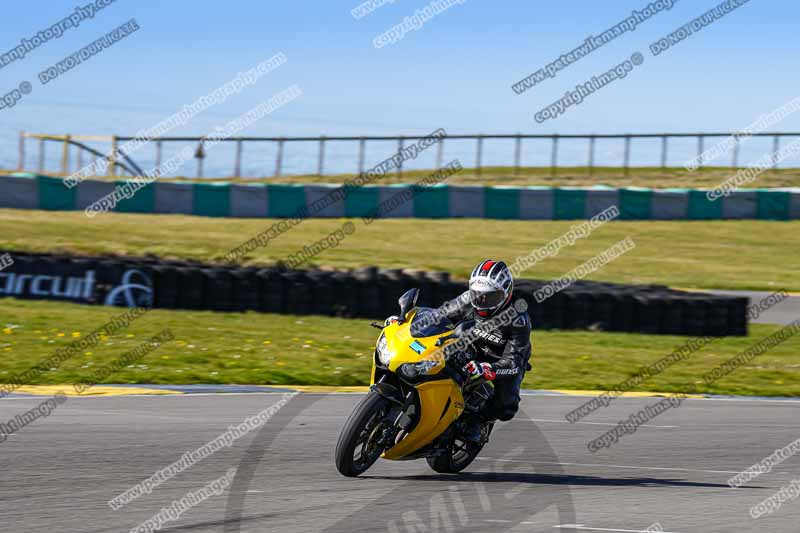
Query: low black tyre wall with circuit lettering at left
pixel 364 293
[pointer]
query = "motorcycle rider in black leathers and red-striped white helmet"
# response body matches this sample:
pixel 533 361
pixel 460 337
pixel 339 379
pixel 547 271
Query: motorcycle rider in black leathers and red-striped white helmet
pixel 501 348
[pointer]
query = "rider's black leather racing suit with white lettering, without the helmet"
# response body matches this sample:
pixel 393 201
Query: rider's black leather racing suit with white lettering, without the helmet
pixel 505 344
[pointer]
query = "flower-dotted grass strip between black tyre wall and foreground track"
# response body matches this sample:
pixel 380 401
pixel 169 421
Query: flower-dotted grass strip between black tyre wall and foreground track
pixel 257 348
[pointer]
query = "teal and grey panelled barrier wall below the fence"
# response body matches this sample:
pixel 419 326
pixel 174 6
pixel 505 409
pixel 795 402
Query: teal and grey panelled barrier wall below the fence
pixel 259 200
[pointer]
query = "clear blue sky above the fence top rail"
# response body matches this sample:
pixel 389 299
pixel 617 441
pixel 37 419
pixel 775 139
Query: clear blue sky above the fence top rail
pixel 455 72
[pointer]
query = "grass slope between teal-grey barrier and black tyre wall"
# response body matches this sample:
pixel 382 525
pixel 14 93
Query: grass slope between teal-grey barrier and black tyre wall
pixel 748 254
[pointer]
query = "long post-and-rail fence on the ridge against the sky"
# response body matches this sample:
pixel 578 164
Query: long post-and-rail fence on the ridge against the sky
pixel 74 152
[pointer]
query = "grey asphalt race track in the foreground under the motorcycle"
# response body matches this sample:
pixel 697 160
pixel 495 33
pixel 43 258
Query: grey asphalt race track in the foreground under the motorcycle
pixel 60 472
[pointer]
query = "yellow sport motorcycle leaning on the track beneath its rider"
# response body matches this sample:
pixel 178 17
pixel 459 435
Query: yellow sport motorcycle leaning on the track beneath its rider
pixel 418 394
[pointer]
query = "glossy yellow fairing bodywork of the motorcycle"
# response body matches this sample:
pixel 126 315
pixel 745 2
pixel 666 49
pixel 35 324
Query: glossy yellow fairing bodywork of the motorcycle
pixel 434 396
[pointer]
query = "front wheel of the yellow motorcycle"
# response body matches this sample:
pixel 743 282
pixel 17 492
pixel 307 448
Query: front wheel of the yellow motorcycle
pixel 359 442
